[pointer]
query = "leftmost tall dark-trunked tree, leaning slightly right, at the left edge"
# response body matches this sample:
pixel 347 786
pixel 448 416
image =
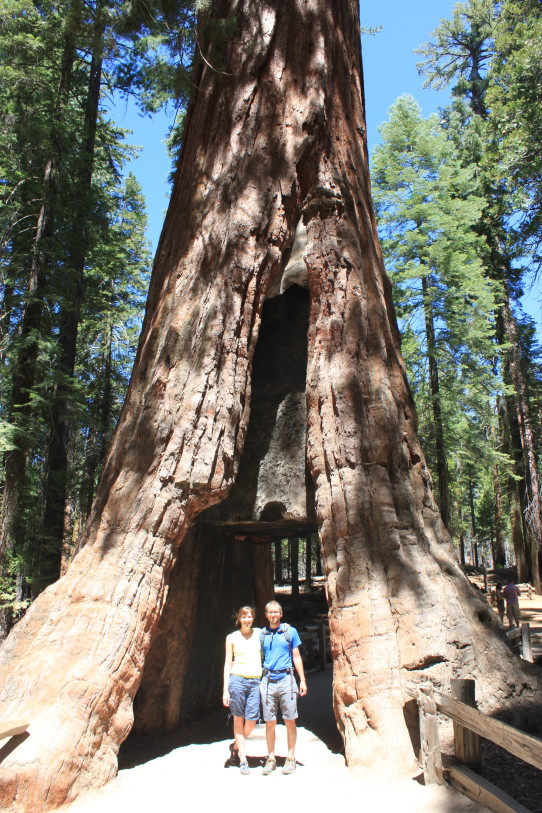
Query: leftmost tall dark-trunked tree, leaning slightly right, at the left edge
pixel 54 92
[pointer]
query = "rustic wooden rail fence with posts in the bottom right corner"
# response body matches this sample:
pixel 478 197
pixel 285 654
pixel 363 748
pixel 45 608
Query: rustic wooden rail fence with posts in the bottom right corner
pixel 469 725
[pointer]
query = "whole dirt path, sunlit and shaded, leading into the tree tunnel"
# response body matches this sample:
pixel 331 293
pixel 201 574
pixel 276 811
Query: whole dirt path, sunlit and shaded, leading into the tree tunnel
pixel 195 775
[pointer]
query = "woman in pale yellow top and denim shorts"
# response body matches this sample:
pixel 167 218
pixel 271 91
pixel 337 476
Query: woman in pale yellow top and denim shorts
pixel 242 674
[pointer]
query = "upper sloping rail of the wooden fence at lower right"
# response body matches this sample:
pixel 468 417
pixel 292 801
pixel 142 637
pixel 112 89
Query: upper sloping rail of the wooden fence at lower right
pixel 522 745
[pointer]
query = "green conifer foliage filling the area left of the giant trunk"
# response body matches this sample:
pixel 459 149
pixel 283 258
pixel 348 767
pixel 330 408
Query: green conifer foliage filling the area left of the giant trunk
pixel 54 171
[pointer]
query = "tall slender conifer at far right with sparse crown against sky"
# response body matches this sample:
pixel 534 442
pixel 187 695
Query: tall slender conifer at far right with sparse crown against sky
pixel 459 52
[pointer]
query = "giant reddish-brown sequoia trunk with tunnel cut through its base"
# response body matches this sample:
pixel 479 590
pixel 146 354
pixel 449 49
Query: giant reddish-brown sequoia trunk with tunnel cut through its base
pixel 268 397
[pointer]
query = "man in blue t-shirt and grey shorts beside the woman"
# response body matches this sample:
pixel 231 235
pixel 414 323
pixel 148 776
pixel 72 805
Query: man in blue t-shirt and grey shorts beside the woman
pixel 280 649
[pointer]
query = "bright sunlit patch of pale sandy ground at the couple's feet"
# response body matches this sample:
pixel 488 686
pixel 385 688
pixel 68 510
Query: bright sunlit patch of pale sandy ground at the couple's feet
pixel 193 776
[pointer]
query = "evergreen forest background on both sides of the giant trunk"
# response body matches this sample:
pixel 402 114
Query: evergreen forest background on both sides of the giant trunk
pixel 458 198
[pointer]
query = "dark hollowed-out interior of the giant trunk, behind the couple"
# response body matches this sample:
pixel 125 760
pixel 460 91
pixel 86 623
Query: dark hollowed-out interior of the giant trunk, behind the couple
pixel 225 560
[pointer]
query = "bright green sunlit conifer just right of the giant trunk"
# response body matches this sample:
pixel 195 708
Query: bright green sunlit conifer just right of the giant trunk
pixel 427 204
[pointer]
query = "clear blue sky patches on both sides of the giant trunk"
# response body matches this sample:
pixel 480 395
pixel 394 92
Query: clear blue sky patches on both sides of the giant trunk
pixel 389 69
